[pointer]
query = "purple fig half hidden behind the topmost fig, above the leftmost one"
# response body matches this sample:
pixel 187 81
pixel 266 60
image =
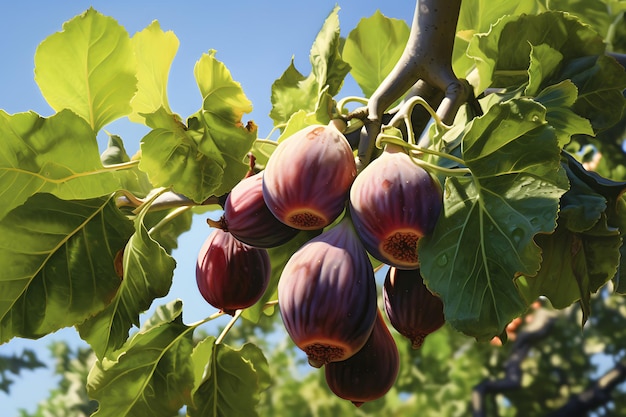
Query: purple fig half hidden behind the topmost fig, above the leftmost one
pixel 248 219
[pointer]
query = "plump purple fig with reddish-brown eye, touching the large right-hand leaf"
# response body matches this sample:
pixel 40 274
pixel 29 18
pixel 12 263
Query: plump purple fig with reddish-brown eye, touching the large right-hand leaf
pixel 394 202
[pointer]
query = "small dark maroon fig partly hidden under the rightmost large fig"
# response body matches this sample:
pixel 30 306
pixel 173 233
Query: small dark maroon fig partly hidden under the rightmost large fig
pixel 412 309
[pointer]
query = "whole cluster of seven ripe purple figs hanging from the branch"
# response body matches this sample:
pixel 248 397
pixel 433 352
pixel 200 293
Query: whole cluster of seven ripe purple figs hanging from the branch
pixel 327 292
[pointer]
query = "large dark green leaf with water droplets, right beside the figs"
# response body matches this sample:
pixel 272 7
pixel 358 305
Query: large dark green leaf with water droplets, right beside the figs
pixel 484 237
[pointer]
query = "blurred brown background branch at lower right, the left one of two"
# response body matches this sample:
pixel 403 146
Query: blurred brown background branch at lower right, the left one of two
pixel 535 331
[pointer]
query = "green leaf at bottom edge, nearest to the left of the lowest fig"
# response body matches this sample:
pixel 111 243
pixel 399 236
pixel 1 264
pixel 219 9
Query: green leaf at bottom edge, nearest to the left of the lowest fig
pixel 228 381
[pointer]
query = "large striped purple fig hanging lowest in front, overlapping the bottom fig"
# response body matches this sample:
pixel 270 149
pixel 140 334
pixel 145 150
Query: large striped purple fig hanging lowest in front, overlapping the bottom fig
pixel 327 295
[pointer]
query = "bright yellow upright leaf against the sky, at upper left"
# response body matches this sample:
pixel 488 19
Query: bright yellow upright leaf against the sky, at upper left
pixel 155 51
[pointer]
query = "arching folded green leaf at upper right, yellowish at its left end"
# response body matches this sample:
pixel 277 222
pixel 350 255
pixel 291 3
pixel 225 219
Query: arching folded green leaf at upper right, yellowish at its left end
pixel 502 56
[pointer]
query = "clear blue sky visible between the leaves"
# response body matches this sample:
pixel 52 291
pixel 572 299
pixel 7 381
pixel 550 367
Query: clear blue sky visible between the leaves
pixel 256 41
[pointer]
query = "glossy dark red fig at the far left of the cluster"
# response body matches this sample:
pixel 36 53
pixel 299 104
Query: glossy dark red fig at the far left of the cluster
pixel 230 274
